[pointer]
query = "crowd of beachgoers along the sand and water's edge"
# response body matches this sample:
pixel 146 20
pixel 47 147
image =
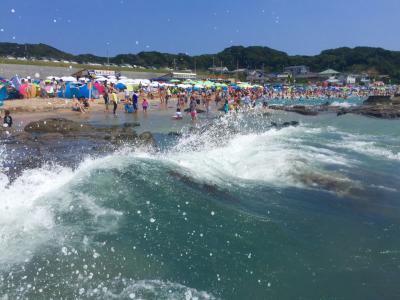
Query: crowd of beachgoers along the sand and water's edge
pixel 191 99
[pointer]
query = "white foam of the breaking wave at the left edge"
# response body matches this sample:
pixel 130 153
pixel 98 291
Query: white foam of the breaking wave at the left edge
pixel 28 206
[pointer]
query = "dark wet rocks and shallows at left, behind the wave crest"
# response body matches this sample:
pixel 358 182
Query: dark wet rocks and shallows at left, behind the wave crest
pixel 65 142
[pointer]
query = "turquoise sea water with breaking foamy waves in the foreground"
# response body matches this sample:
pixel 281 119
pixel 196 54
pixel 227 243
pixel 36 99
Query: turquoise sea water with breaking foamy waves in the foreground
pixel 234 210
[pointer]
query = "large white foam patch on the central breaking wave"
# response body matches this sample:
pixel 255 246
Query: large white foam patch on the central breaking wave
pixel 270 157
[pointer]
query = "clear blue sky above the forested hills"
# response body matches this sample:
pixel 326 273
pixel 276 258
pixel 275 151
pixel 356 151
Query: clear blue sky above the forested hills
pixel 101 27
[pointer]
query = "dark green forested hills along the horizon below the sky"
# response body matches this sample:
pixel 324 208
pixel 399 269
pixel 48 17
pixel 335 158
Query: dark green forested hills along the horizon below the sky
pixel 359 59
